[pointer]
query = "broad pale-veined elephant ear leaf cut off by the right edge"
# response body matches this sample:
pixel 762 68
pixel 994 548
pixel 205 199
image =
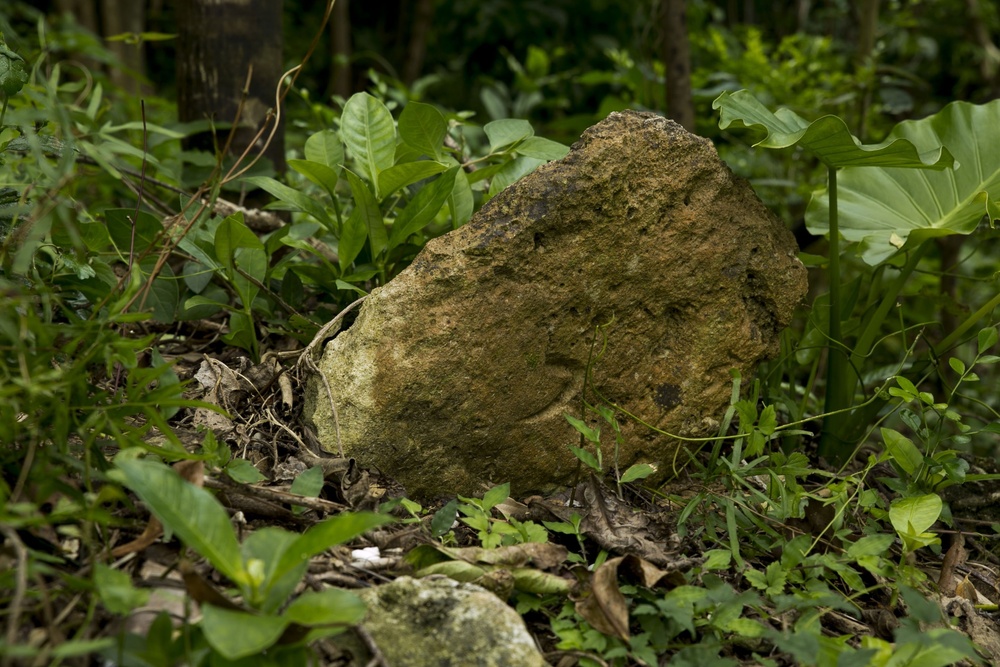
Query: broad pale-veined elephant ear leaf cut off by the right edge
pixel 882 209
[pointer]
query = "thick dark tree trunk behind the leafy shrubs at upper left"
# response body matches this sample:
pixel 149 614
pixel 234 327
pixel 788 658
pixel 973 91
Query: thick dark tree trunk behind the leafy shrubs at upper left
pixel 219 42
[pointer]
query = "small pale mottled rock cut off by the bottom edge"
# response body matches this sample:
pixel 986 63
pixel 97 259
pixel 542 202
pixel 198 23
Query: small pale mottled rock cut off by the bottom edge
pixel 441 623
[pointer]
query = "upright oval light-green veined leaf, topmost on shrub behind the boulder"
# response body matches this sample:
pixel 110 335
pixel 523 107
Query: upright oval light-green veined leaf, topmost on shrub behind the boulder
pixel 370 136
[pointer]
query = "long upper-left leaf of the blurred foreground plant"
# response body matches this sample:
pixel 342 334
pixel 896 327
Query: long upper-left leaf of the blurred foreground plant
pixel 190 512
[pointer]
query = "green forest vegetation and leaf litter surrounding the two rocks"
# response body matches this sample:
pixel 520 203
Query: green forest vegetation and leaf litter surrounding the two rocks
pixel 175 247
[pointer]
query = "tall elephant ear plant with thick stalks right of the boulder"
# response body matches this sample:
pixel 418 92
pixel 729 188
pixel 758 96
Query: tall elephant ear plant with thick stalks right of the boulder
pixel 929 179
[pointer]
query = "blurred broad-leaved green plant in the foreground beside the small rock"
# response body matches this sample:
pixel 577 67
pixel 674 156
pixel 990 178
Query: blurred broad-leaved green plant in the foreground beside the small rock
pixel 266 569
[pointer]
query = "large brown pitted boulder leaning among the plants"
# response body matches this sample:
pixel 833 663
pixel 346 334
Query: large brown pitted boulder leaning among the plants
pixel 457 374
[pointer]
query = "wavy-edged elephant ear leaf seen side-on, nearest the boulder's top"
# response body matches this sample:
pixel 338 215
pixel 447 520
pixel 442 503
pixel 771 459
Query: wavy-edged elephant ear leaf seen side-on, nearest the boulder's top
pixel 828 138
